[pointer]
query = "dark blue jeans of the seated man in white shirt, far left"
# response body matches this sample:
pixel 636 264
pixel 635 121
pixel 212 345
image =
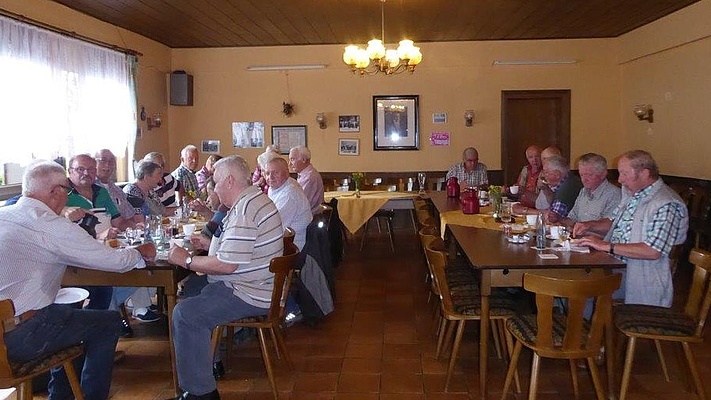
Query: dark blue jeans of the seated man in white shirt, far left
pixel 59 326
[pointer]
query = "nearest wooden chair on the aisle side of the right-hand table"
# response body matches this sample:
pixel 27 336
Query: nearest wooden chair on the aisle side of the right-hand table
pixel 460 304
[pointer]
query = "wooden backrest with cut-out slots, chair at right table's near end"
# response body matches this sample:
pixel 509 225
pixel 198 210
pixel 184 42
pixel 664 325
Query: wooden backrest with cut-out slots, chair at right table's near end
pixel 577 341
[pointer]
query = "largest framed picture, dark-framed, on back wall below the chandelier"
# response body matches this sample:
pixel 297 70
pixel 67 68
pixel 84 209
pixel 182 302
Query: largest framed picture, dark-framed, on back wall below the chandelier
pixel 396 122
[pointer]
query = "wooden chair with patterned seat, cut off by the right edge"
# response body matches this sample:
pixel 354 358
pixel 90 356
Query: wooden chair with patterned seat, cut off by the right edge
pixel 660 323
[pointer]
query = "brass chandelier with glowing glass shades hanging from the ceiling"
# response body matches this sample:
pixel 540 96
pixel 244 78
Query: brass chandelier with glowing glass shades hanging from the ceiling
pixel 376 58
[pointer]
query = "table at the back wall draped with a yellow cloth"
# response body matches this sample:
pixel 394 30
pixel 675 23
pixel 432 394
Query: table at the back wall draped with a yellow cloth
pixel 356 208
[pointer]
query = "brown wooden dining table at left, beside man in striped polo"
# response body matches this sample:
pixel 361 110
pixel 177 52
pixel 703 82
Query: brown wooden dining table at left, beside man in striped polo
pixel 159 273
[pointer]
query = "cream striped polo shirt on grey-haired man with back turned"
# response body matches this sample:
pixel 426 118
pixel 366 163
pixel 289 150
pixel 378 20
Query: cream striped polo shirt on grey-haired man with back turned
pixel 252 236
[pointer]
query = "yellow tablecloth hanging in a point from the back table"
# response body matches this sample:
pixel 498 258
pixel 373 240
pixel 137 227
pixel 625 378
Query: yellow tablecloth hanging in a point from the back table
pixel 354 211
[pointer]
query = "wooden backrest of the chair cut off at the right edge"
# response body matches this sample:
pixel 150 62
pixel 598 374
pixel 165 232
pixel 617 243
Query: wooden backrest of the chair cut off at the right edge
pixel 699 300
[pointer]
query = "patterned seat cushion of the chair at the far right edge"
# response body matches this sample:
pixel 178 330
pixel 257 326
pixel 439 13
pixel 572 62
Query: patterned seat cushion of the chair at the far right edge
pixel 651 320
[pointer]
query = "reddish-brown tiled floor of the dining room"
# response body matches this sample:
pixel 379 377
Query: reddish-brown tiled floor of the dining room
pixel 378 344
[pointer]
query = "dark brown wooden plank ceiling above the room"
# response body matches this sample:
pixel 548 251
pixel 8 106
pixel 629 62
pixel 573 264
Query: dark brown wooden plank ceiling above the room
pixel 240 23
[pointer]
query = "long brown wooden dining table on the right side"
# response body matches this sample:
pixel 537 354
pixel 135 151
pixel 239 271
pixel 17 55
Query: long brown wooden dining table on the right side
pixel 501 263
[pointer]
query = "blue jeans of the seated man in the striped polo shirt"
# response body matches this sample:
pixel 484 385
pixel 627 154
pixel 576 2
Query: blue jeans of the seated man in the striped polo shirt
pixel 194 318
